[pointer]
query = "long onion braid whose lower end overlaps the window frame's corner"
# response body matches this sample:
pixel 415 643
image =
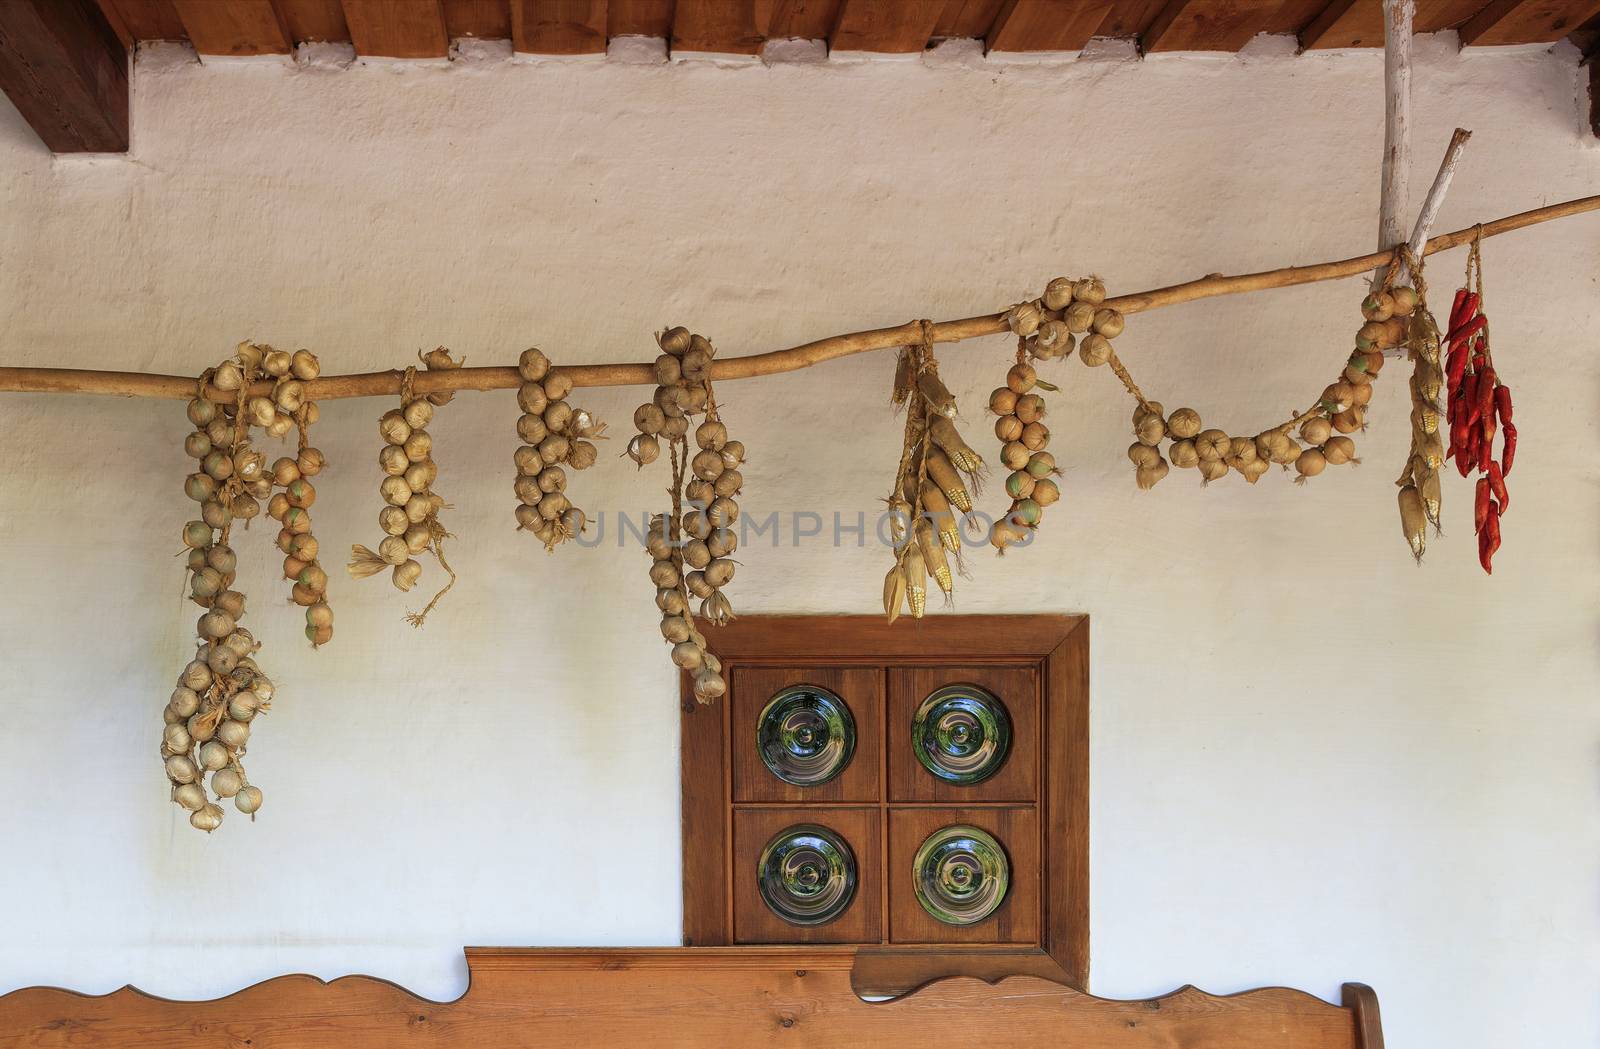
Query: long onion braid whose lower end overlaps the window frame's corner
pixel 692 549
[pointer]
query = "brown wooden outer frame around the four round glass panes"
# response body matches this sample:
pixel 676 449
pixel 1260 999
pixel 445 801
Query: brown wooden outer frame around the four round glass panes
pixel 1057 645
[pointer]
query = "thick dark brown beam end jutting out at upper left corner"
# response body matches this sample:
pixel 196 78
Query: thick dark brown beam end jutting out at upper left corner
pixel 65 70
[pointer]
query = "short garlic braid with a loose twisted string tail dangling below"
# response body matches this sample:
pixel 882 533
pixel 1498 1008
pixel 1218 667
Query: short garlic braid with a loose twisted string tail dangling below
pixel 410 516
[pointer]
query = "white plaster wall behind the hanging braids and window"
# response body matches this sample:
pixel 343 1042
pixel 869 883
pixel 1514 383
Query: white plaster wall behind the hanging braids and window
pixel 1313 760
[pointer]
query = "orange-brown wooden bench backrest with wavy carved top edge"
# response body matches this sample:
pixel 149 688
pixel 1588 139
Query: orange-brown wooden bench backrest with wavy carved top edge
pixel 671 999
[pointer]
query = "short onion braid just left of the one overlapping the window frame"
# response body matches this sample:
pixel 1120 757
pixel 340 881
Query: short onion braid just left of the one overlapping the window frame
pixel 553 434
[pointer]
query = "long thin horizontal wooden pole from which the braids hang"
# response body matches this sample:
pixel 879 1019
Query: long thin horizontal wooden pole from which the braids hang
pixel 775 362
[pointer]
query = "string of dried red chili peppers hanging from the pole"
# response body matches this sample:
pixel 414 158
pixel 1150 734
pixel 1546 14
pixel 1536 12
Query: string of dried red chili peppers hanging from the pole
pixel 1478 405
